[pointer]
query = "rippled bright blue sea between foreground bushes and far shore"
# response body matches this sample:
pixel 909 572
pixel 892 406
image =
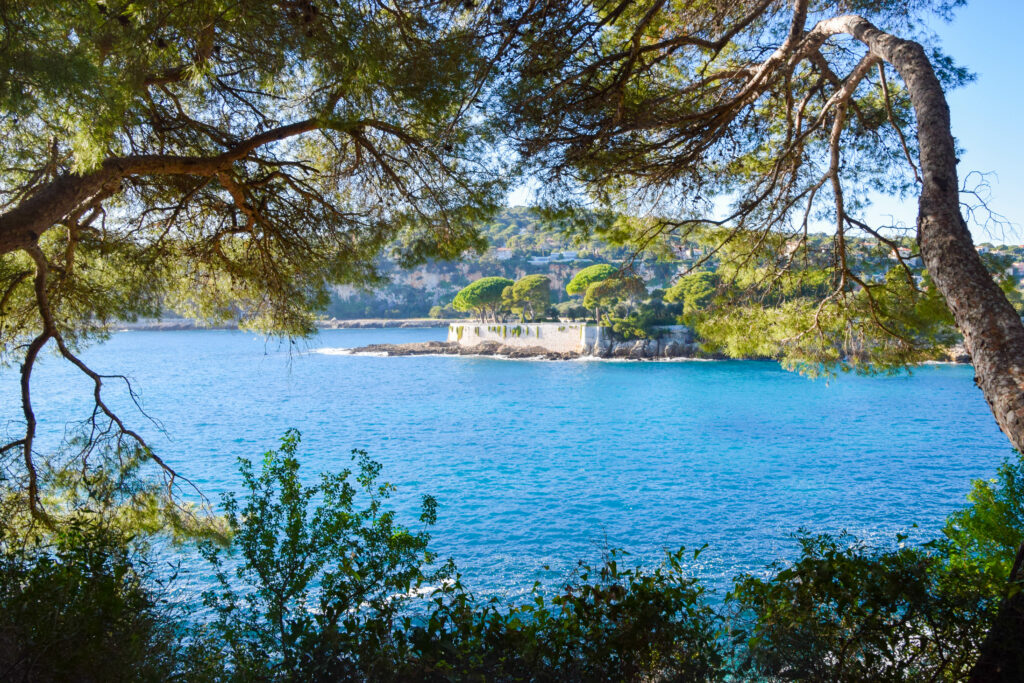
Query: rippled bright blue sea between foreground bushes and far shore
pixel 542 463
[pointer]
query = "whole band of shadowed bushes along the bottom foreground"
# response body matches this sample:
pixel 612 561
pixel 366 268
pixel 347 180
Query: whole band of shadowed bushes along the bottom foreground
pixel 321 582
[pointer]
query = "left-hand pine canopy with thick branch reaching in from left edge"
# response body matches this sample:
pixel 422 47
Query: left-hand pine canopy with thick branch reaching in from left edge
pixel 229 161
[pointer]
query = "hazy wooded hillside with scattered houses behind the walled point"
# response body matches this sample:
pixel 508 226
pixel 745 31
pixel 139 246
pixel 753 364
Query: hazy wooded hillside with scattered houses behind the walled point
pixel 521 242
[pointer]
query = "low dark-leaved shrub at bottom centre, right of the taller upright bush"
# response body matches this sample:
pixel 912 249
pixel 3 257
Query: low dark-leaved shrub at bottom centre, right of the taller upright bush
pixel 607 624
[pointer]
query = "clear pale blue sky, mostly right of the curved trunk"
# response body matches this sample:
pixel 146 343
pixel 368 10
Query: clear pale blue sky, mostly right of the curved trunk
pixel 988 115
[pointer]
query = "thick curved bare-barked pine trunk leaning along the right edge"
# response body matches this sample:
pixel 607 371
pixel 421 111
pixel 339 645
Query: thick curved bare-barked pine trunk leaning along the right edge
pixel 993 330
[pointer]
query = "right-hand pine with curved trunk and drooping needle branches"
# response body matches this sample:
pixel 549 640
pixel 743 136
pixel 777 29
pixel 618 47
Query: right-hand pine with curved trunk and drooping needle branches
pixel 749 124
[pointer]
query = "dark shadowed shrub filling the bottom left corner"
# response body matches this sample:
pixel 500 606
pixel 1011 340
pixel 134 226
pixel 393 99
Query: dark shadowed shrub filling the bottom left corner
pixel 82 605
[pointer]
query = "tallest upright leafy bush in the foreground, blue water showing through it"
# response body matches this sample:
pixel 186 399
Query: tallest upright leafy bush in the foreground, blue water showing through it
pixel 323 575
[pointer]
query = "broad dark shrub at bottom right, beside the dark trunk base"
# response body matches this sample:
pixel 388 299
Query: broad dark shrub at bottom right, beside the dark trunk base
pixel 848 613
